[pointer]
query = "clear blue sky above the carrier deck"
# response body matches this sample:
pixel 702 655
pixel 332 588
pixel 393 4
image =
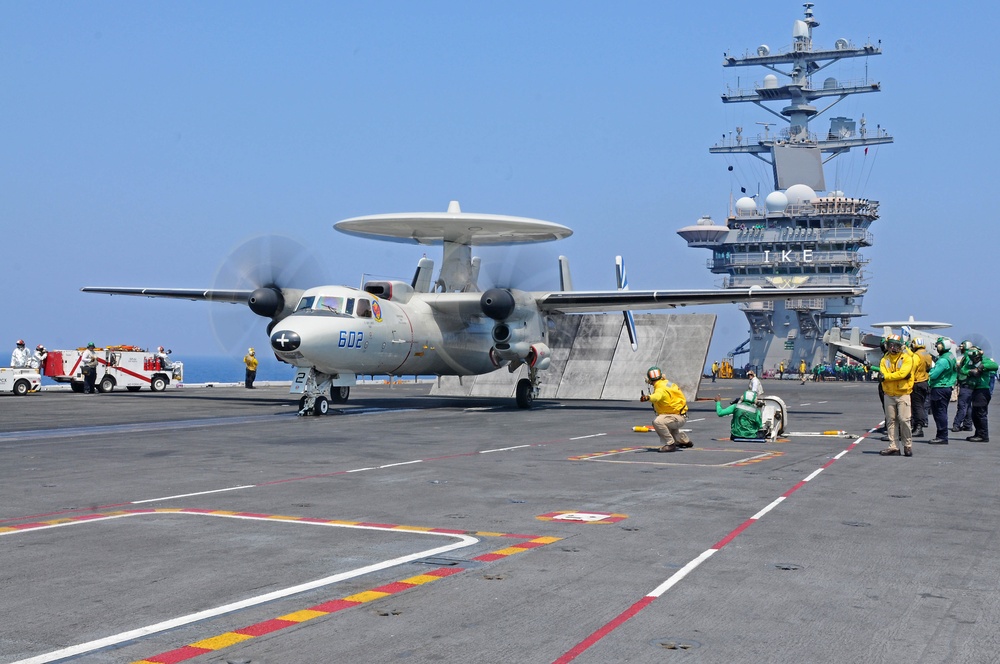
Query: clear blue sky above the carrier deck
pixel 143 141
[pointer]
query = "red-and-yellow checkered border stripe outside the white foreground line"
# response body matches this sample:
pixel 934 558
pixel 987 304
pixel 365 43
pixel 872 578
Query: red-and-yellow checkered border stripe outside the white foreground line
pixel 228 639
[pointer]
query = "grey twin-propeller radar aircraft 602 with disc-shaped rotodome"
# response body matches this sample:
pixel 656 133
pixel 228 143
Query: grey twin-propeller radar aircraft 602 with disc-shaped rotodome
pixel 444 326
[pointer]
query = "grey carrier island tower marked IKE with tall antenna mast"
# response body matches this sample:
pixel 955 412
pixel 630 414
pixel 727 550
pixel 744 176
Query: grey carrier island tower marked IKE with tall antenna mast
pixel 793 236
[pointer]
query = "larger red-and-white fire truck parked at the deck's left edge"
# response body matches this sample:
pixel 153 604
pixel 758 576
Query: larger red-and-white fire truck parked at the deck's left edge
pixel 130 367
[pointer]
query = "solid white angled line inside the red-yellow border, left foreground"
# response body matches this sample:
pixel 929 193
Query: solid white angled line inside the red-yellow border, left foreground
pixel 90 646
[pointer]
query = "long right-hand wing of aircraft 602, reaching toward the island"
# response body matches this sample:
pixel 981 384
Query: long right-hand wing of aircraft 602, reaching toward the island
pixel 596 301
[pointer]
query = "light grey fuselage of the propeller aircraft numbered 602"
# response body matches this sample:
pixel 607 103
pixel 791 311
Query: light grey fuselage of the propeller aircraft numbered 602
pixel 338 329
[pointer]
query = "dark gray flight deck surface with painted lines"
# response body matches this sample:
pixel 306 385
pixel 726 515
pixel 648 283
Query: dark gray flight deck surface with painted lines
pixel 874 559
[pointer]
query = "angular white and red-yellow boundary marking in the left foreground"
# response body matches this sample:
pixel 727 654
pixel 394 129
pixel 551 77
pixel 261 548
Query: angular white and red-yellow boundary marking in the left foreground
pixel 464 539
